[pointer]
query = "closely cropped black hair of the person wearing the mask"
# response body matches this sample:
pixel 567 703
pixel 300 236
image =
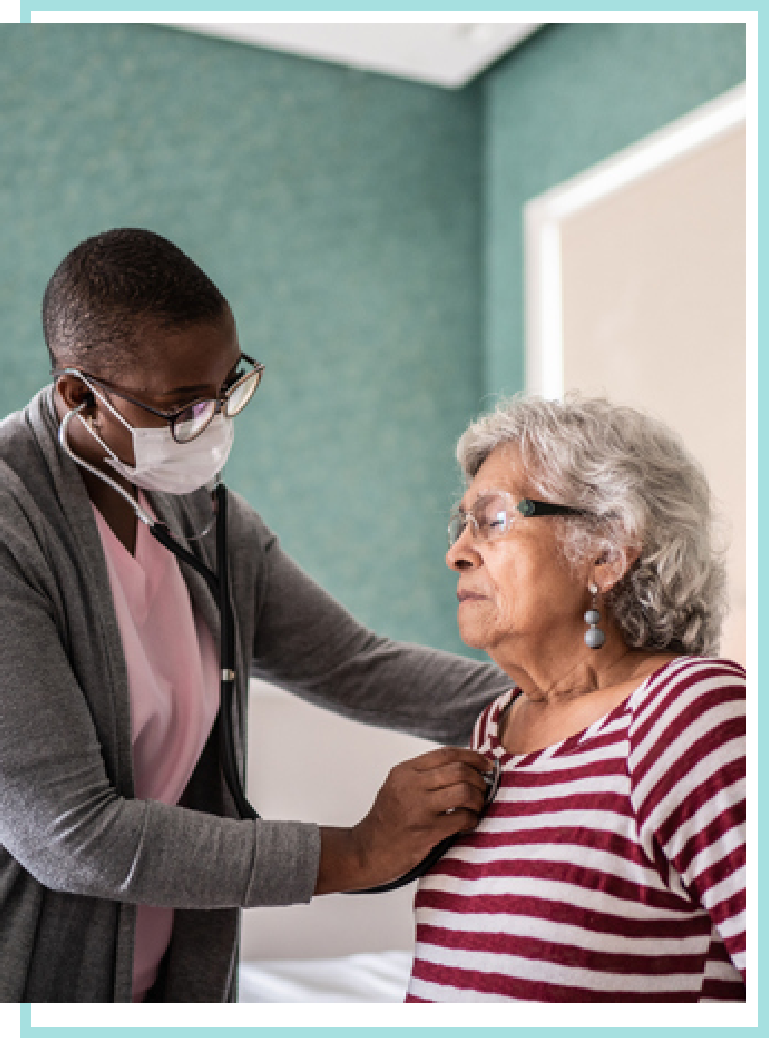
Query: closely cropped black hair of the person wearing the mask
pixel 114 286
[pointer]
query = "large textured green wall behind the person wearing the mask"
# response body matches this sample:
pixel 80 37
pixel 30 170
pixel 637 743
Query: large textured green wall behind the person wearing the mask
pixel 339 211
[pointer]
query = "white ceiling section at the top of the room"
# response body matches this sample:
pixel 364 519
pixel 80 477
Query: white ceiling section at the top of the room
pixel 442 53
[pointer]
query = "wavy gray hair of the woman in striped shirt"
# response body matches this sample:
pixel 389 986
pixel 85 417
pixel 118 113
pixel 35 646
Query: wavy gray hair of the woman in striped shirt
pixel 642 488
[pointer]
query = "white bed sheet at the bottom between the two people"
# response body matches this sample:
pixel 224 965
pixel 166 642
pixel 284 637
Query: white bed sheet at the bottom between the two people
pixel 373 977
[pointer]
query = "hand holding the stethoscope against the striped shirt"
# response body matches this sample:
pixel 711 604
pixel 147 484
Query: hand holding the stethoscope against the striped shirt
pixel 423 802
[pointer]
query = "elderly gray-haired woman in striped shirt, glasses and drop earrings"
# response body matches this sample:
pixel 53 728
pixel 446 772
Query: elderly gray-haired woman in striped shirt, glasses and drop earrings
pixel 612 865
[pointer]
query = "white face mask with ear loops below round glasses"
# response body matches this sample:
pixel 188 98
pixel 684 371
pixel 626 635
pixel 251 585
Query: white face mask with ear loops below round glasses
pixel 164 466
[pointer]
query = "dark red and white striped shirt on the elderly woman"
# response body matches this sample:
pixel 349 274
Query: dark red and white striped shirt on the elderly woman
pixel 611 866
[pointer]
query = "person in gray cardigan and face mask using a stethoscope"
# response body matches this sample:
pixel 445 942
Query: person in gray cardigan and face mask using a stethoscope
pixel 124 862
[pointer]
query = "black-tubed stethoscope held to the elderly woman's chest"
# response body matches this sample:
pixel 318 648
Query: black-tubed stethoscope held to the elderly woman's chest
pixel 218 583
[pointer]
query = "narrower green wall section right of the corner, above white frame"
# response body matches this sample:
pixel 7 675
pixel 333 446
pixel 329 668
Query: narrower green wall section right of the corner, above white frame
pixel 571 96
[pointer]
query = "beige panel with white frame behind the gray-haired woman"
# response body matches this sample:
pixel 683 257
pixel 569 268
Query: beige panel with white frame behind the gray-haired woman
pixel 651 307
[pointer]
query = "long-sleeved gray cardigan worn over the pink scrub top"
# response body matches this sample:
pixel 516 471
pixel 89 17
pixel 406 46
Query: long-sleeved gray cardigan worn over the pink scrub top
pixel 78 852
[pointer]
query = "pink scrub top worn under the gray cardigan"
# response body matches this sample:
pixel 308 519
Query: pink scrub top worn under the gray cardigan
pixel 174 680
